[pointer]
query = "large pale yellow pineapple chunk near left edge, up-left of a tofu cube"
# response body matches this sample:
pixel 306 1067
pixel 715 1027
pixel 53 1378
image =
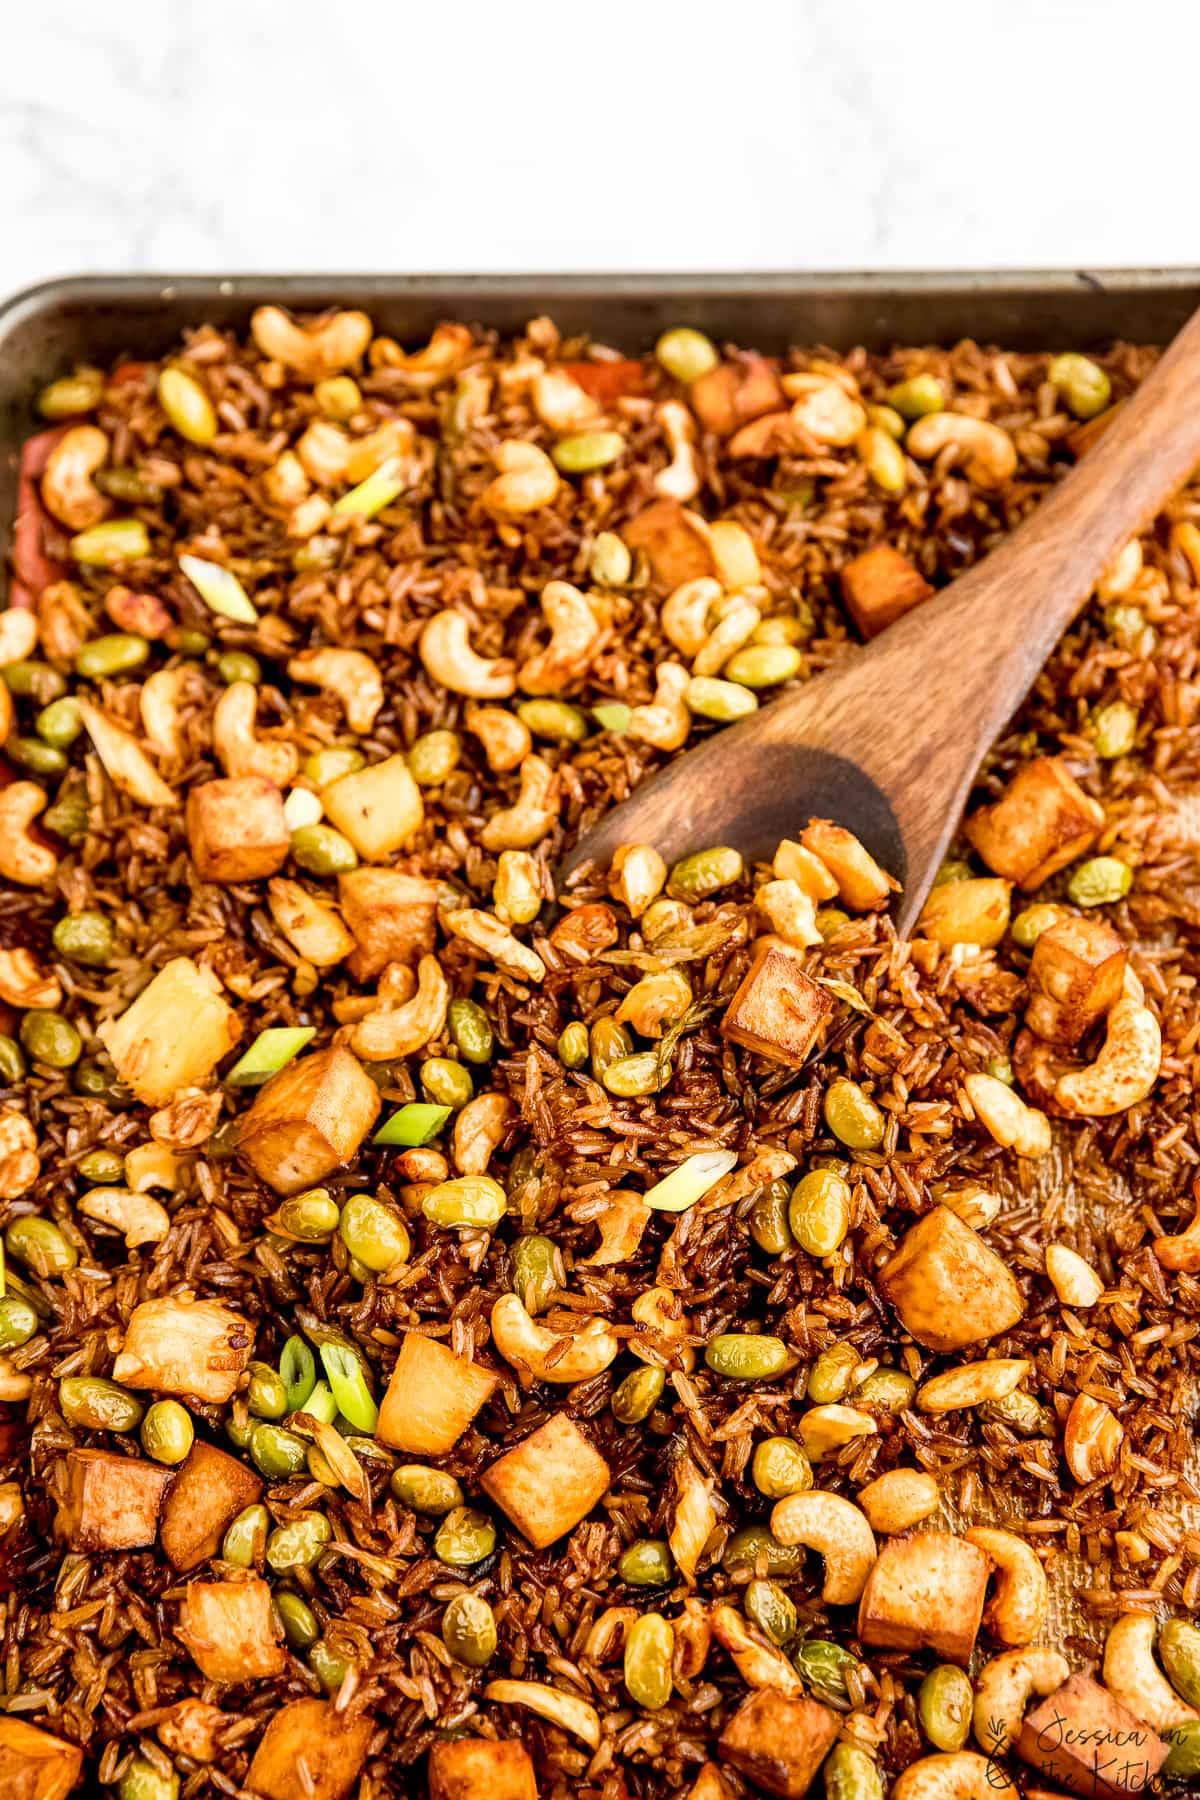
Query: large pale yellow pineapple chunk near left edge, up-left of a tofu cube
pixel 174 1036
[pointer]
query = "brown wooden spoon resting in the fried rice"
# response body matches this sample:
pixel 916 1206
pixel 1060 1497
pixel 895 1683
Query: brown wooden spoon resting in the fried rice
pixel 888 742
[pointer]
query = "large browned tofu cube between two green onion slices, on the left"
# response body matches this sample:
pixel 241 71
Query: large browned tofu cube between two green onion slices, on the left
pixel 309 1120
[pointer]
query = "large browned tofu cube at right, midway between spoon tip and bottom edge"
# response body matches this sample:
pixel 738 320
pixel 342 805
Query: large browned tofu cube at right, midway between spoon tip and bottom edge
pixel 947 1286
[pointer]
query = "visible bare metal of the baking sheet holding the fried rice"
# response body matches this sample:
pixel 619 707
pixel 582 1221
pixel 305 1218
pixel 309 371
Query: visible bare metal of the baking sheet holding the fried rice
pixel 46 330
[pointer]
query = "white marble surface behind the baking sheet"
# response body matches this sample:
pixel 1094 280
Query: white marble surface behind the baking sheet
pixel 636 134
